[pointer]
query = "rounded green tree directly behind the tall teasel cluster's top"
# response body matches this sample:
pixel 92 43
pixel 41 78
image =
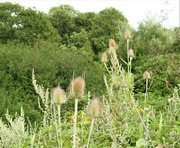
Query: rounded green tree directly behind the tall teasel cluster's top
pixel 105 26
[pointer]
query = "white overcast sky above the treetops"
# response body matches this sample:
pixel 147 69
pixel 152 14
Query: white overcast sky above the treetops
pixel 134 10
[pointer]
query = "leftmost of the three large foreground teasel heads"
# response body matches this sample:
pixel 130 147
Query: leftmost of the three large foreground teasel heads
pixel 58 96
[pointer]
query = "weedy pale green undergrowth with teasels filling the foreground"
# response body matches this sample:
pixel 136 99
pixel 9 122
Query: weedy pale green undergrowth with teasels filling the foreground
pixel 115 119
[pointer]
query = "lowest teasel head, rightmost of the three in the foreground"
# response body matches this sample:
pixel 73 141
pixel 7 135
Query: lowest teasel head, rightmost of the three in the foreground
pixel 95 108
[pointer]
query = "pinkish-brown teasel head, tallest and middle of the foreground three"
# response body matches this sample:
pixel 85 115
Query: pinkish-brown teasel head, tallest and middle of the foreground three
pixel 77 88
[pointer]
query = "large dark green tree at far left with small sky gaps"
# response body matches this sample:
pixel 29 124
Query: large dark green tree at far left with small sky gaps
pixel 22 25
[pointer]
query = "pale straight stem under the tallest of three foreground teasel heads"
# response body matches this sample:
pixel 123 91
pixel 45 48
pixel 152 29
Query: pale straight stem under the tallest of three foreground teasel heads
pixel 75 121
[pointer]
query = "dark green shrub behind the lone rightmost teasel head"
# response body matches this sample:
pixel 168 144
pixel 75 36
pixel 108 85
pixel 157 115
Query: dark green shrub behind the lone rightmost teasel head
pixel 164 70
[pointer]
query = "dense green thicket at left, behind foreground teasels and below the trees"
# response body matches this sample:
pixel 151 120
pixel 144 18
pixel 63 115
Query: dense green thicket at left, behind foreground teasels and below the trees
pixel 18 62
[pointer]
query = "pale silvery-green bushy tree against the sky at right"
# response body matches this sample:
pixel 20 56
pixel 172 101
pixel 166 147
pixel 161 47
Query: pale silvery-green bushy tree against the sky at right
pixel 152 38
